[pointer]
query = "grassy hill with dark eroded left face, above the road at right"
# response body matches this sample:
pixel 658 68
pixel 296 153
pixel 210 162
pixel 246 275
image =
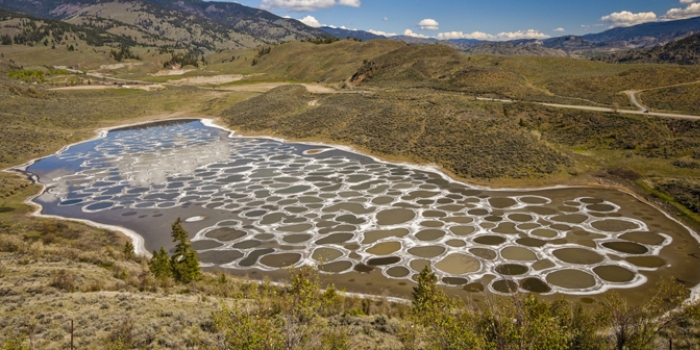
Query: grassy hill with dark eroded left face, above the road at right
pixel 528 78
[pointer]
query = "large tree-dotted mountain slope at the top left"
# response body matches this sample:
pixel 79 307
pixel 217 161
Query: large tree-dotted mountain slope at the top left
pixel 207 25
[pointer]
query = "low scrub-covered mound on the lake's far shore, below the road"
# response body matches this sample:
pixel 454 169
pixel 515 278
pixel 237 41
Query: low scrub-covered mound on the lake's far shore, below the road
pixel 470 139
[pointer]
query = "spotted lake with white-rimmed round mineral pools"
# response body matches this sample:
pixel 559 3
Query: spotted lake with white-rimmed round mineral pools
pixel 257 206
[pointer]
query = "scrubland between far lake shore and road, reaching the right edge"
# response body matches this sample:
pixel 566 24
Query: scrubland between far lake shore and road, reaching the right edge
pixel 489 143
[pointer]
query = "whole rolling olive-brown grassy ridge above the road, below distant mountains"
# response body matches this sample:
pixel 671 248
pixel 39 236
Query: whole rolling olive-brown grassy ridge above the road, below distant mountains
pixel 391 65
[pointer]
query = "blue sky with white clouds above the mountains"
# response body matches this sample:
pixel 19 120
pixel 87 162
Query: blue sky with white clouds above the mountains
pixel 492 20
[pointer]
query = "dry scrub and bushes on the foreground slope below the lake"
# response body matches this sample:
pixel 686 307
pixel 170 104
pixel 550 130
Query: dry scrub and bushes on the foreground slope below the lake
pixel 55 272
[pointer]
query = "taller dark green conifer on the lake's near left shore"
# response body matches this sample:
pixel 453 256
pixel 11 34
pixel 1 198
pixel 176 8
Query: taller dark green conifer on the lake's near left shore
pixel 184 263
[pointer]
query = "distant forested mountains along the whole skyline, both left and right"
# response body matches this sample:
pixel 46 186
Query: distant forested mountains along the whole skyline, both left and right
pixel 217 25
